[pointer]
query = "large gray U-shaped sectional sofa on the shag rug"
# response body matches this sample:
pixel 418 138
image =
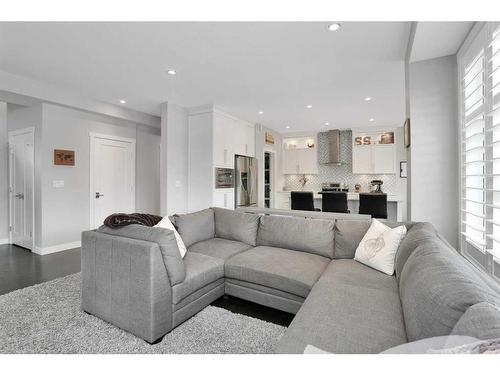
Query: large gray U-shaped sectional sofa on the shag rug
pixel 135 278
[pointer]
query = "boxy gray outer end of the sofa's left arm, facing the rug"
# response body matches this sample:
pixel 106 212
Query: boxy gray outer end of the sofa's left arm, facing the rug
pixel 125 282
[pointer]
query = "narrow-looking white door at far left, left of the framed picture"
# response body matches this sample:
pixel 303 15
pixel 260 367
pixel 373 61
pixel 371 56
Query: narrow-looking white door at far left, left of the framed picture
pixel 21 194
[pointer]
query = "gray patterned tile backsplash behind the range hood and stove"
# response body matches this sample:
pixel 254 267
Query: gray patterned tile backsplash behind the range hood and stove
pixel 341 173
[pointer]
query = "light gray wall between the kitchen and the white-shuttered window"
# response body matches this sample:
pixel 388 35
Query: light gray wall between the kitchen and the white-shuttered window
pixel 434 142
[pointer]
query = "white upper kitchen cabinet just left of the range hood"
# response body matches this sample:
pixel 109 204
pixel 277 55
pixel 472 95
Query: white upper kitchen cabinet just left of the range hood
pixel 300 155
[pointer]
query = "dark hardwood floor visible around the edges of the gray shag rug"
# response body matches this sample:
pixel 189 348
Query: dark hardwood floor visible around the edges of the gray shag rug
pixel 20 268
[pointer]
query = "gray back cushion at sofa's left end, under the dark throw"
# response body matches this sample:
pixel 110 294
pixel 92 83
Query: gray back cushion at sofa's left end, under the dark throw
pixel 166 241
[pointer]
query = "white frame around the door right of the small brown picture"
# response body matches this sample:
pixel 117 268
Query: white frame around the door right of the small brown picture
pixel 92 137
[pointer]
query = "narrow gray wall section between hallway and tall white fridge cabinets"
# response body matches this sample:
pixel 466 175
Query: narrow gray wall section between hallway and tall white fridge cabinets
pixel 174 159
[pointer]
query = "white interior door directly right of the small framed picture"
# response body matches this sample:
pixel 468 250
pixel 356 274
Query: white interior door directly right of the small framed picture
pixel 112 177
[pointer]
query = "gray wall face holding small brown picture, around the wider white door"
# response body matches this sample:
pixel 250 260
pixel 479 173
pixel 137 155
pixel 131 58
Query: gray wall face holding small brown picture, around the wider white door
pixel 69 129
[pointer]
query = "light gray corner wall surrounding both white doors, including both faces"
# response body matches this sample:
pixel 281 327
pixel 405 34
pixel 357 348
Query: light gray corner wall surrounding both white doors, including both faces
pixel 61 214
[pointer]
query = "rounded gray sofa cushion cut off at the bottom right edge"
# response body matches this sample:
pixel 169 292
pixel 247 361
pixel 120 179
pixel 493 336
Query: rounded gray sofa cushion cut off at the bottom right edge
pixel 481 320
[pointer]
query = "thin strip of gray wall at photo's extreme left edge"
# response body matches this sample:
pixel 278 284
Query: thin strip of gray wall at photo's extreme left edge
pixel 4 174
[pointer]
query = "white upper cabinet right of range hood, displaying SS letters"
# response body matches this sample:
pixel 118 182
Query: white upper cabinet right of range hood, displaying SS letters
pixel 373 152
